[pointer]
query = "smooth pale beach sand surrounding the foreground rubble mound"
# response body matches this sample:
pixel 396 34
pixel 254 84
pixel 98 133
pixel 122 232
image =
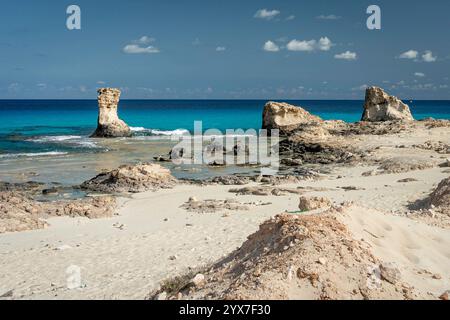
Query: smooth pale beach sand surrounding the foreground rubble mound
pixel 152 238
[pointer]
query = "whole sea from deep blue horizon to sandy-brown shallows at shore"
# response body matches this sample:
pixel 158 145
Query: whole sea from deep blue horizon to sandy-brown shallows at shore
pixel 48 140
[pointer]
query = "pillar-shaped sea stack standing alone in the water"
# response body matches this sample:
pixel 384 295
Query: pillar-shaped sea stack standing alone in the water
pixel 109 125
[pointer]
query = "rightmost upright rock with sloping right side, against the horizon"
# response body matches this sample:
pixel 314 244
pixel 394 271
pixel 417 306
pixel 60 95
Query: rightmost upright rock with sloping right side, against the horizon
pixel 379 106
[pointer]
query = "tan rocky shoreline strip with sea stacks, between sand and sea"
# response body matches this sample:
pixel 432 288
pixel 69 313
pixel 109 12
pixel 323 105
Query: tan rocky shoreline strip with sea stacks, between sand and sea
pixel 310 148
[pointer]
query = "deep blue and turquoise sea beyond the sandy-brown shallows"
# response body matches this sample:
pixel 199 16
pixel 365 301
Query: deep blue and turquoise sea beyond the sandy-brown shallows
pixel 33 126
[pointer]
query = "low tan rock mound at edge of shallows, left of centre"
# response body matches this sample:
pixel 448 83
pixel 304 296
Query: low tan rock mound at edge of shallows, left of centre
pixel 131 178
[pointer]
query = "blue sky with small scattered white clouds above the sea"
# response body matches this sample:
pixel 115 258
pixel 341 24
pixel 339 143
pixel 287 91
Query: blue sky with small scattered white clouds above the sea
pixel 252 49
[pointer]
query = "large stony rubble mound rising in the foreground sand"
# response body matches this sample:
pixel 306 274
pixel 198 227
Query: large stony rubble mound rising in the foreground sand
pixel 292 257
